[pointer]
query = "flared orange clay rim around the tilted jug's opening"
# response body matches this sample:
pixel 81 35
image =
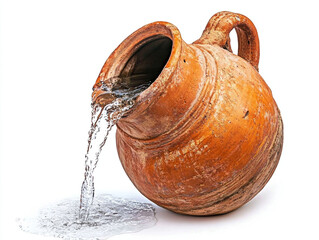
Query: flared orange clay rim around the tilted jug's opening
pixel 120 56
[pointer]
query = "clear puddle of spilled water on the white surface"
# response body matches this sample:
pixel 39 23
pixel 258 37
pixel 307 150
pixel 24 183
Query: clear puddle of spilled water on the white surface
pixel 109 216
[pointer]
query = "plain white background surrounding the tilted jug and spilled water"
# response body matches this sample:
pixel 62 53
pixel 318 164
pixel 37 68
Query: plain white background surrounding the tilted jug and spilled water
pixel 51 53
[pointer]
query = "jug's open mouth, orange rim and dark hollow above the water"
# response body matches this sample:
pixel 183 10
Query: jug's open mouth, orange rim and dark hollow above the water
pixel 157 47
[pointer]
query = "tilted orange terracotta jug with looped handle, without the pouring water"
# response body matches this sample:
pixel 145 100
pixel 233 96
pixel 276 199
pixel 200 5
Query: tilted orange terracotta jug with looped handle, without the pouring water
pixel 207 135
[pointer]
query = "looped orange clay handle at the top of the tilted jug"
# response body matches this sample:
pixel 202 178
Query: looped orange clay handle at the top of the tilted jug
pixel 217 32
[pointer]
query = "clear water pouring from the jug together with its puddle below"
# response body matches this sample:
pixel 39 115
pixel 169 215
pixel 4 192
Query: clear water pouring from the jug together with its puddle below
pixel 101 216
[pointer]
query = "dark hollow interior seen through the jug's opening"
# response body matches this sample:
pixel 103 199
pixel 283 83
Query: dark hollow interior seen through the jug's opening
pixel 147 62
